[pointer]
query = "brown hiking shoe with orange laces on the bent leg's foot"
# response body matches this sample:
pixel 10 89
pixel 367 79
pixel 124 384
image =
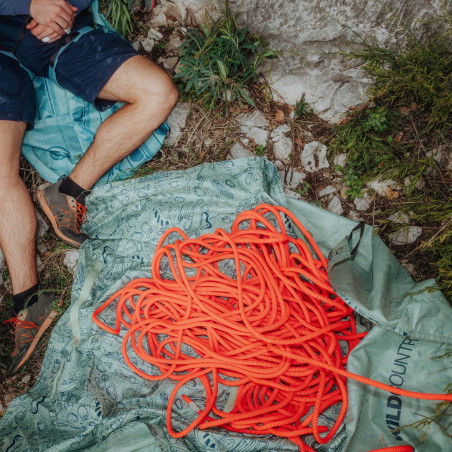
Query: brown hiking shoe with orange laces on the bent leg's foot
pixel 64 212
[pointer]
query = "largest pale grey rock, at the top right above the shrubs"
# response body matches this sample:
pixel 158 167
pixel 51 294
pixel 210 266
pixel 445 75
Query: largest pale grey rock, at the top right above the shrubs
pixel 315 36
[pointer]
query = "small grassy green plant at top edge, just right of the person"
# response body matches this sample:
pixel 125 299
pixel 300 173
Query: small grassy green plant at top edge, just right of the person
pixel 120 13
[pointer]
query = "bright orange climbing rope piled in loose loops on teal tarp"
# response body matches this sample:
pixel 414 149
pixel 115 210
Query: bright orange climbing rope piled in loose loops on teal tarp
pixel 252 309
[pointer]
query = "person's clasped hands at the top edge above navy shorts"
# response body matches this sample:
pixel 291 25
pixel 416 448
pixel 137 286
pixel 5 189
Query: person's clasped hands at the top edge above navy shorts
pixel 56 14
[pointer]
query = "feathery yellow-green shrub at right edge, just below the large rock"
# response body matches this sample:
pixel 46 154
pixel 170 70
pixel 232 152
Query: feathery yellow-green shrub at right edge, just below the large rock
pixel 417 77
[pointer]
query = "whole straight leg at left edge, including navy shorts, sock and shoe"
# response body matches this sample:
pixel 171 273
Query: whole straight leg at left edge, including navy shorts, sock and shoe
pixel 33 313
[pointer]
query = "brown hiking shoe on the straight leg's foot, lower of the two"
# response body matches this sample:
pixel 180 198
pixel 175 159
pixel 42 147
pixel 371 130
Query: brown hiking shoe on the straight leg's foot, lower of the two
pixel 30 324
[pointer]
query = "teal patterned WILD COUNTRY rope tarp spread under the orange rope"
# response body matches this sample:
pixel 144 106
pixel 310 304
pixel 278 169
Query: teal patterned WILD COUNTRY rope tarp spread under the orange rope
pixel 87 398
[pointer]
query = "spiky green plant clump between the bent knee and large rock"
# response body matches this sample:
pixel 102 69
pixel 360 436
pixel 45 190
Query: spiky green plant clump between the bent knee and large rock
pixel 220 60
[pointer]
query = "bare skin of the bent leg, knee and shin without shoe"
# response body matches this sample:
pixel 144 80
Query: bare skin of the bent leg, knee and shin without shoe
pixel 149 94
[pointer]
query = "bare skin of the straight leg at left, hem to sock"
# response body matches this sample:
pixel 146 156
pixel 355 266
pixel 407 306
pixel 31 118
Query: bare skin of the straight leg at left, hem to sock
pixel 17 214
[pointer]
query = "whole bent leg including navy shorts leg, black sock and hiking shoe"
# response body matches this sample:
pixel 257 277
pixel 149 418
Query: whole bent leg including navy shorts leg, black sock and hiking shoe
pixel 102 67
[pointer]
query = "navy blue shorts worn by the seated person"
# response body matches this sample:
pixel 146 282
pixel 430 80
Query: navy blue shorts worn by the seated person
pixel 83 67
